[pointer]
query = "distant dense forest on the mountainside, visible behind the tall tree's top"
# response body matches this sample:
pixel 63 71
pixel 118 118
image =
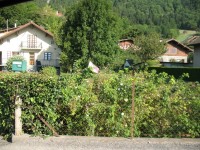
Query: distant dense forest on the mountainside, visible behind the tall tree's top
pixel 183 14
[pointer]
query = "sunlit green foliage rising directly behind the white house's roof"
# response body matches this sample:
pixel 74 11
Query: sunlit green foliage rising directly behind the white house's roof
pixel 23 13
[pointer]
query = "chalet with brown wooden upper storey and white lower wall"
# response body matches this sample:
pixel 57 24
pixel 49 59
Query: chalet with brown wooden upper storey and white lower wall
pixel 175 52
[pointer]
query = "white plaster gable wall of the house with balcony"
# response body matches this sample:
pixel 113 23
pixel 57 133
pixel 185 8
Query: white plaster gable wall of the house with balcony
pixel 11 45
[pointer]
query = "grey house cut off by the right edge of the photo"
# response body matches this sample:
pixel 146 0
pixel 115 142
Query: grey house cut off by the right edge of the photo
pixel 196 57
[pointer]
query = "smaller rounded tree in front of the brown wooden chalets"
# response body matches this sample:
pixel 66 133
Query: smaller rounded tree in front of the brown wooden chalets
pixel 148 47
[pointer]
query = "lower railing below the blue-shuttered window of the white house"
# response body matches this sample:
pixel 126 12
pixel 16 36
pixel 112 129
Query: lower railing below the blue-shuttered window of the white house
pixel 52 62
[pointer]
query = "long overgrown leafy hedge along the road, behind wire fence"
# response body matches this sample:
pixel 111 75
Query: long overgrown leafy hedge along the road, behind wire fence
pixel 101 105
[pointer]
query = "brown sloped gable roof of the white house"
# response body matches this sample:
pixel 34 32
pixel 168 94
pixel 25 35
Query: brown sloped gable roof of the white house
pixel 6 33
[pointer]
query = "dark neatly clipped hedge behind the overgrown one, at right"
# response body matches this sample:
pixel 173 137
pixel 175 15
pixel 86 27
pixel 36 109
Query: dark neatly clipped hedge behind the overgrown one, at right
pixel 194 73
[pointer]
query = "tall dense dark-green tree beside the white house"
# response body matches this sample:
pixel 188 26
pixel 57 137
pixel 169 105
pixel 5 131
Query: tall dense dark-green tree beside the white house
pixel 91 33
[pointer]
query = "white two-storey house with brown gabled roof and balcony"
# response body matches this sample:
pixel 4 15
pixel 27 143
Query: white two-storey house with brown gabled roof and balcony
pixel 32 42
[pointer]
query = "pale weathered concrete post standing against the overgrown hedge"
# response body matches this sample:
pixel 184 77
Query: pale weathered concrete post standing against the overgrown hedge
pixel 18 112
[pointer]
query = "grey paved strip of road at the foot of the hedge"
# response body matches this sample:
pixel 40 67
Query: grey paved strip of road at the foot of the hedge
pixel 98 143
